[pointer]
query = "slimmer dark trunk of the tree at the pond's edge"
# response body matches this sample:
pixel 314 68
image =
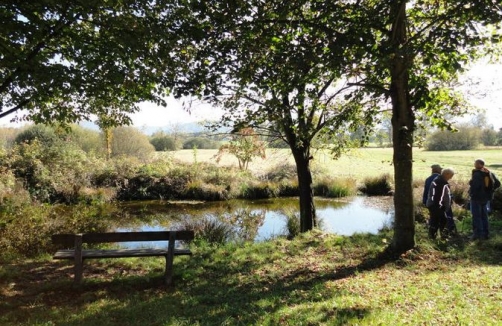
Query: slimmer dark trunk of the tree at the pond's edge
pixel 307 208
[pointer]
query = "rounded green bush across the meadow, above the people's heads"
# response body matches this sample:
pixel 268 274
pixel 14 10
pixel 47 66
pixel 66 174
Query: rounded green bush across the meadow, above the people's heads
pixel 466 138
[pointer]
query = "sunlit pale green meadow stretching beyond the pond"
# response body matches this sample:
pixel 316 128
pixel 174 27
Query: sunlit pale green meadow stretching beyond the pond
pixel 364 162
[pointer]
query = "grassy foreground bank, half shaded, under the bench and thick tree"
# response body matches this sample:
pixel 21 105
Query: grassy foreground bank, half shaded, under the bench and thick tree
pixel 316 279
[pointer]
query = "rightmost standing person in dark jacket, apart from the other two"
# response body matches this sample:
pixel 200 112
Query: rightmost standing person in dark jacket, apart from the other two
pixel 481 188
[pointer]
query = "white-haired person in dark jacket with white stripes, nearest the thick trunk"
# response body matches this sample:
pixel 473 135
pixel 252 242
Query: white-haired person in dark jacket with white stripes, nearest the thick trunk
pixel 439 202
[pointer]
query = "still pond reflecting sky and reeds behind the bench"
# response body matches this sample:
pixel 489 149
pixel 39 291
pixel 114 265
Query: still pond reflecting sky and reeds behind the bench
pixel 341 216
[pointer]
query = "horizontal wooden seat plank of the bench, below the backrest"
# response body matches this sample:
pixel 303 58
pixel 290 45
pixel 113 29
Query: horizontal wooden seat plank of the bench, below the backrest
pixel 117 253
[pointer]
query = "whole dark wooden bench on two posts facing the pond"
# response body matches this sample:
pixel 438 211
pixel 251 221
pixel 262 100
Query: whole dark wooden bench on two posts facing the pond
pixel 78 254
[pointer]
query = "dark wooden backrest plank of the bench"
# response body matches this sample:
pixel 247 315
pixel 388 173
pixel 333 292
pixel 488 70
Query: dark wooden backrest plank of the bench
pixel 69 239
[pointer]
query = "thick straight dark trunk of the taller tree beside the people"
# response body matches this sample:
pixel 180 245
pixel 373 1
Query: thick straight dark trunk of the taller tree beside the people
pixel 403 120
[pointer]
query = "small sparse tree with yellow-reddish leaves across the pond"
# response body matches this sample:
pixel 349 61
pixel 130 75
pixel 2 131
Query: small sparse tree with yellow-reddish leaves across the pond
pixel 245 145
